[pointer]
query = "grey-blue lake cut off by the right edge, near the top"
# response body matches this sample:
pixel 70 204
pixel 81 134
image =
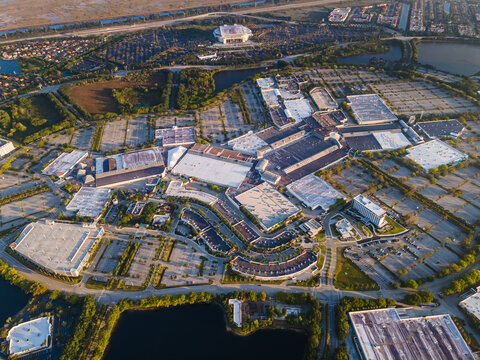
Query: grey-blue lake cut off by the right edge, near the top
pixel 452 57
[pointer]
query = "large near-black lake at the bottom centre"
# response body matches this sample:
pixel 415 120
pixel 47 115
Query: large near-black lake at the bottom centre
pixel 196 332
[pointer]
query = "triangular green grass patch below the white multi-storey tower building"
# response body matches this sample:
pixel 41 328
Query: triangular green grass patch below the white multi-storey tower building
pixel 349 277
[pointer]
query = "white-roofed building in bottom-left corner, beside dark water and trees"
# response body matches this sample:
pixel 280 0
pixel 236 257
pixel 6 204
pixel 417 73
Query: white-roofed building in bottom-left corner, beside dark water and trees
pixel 29 336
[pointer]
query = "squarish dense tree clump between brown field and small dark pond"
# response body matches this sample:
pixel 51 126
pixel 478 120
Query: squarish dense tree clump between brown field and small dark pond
pixel 196 89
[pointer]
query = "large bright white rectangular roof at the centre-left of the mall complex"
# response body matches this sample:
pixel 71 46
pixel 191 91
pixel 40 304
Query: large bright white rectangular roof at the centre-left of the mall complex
pixel 212 169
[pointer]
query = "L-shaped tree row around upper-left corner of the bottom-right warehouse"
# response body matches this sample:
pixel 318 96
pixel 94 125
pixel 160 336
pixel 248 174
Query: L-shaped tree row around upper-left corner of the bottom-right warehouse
pixel 348 304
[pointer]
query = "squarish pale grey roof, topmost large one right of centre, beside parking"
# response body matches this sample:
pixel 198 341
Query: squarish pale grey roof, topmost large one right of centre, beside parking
pixel 370 108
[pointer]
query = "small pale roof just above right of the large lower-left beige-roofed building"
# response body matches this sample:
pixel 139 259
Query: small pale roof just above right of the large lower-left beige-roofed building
pixel 89 201
